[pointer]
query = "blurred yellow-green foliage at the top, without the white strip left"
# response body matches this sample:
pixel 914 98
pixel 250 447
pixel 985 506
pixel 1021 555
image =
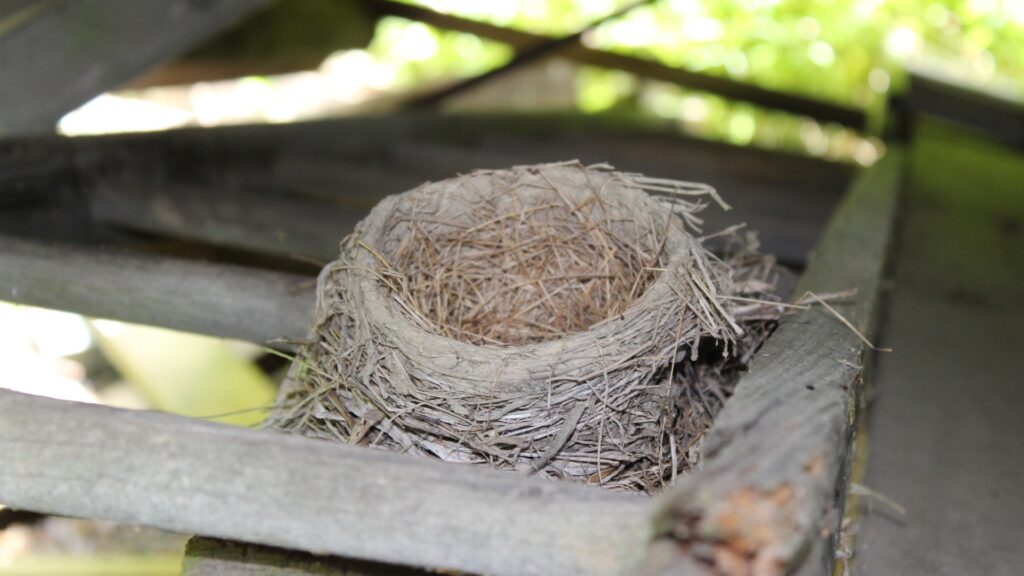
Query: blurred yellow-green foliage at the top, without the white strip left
pixel 851 53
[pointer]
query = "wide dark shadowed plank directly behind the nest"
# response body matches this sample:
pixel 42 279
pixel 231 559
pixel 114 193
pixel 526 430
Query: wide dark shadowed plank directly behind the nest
pixel 253 188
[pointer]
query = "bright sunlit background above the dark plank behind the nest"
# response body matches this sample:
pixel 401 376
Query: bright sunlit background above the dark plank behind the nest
pixel 851 53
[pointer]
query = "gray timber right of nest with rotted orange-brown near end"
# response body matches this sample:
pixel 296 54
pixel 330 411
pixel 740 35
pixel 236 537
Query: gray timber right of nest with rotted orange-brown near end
pixel 776 471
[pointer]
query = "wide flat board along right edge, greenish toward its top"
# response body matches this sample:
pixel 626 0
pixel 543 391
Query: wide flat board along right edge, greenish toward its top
pixel 946 424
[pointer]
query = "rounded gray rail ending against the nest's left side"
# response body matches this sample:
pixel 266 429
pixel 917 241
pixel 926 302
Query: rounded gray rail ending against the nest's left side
pixel 216 300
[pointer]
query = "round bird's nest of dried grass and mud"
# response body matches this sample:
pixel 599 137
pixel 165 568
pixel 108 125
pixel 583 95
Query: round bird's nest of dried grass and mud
pixel 558 319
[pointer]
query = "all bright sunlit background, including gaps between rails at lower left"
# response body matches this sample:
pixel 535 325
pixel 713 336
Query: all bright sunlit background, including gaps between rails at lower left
pixel 849 53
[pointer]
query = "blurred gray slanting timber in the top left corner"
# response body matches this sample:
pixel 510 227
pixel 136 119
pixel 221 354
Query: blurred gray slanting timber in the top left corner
pixel 73 51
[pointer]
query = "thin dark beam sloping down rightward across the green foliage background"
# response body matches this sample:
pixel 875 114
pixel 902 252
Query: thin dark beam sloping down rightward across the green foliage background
pixel 577 52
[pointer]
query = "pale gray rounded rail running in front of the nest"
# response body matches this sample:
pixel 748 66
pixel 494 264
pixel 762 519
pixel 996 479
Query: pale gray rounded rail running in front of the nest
pixel 263 487
